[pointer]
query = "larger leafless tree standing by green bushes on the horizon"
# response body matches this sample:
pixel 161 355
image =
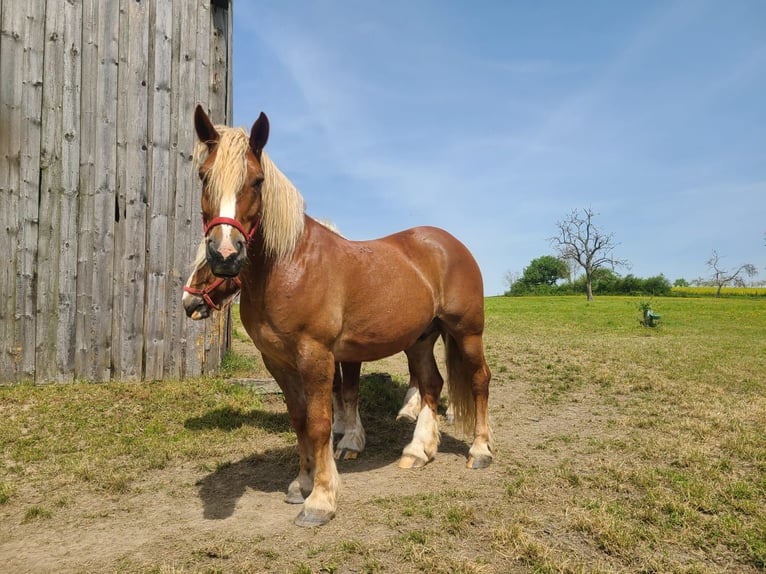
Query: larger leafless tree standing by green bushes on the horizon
pixel 579 240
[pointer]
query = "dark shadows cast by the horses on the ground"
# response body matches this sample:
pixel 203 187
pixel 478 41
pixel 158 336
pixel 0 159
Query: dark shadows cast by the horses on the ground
pixel 273 469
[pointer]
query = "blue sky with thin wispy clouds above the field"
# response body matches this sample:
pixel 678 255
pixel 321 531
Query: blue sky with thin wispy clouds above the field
pixel 494 120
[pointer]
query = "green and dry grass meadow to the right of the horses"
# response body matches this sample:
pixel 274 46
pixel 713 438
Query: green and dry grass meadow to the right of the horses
pixel 682 464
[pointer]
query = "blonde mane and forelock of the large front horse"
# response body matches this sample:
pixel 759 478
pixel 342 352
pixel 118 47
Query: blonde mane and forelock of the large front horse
pixel 282 205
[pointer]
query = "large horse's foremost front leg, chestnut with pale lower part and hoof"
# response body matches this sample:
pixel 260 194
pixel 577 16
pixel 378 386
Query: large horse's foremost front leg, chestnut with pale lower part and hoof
pixel 316 367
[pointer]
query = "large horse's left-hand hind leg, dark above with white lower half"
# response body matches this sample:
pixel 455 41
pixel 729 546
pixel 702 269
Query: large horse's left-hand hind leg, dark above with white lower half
pixel 425 439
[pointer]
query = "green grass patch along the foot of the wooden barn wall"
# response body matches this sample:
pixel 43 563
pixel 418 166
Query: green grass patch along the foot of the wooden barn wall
pixel 54 435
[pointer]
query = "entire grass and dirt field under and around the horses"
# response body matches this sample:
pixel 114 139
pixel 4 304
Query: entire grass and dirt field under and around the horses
pixel 620 449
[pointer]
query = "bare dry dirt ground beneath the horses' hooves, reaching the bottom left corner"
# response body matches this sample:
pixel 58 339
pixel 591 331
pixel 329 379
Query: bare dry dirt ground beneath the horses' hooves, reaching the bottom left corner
pixel 234 519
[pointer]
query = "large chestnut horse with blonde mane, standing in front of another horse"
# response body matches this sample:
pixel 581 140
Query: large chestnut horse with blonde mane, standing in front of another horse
pixel 311 298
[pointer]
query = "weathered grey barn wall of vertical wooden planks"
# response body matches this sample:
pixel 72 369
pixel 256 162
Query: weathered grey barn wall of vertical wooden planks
pixel 99 208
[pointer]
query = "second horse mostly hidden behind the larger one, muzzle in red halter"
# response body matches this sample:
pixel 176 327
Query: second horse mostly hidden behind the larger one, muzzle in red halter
pixel 204 293
